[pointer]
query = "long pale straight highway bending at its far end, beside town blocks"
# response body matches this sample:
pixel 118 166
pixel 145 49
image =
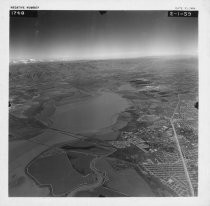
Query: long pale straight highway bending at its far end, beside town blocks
pixel 180 151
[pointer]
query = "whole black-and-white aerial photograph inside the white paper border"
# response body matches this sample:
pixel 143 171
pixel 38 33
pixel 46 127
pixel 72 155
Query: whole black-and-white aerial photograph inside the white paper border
pixel 103 104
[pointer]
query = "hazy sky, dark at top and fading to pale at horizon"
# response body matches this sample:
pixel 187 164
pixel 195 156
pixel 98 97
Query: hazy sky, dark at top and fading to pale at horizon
pixel 90 35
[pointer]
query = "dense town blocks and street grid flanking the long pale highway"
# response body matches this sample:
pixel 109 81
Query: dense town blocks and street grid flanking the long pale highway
pixel 162 159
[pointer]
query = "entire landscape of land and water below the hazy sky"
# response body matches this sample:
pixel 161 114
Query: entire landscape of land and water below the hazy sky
pixel 104 128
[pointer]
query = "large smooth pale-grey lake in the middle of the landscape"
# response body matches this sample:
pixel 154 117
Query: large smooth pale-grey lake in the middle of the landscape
pixel 90 115
